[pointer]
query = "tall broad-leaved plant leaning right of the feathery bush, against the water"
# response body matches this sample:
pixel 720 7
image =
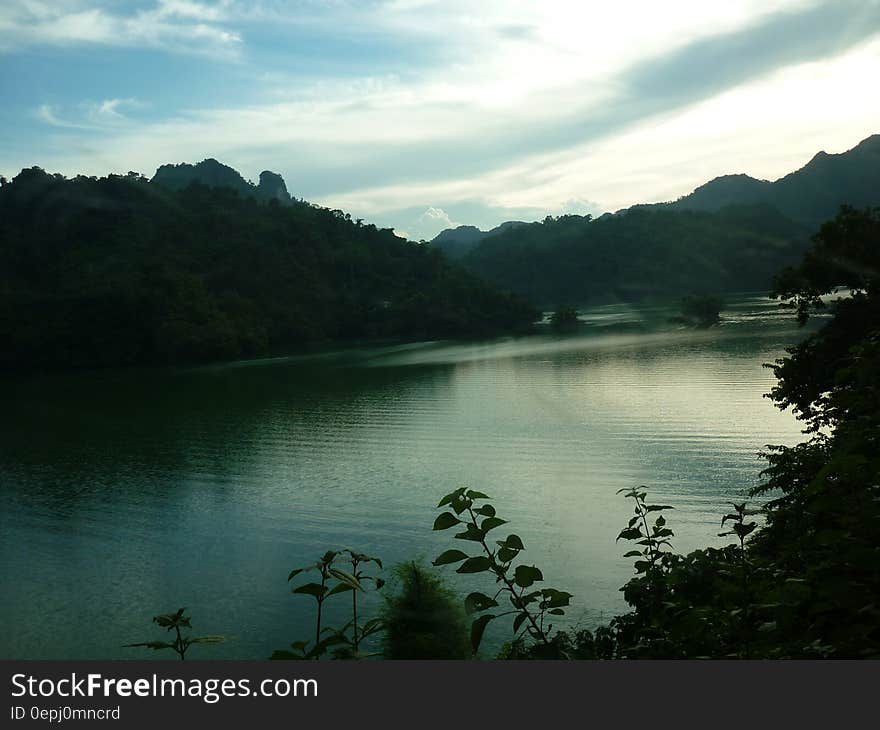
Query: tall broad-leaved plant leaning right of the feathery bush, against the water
pixel 531 609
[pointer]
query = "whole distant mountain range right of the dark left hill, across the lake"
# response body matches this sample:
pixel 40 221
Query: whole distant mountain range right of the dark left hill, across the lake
pixel 732 234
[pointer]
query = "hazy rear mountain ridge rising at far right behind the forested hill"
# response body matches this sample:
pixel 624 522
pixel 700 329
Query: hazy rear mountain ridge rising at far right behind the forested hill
pixel 810 195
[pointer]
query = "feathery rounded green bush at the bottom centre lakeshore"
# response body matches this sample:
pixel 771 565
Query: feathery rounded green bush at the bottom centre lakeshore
pixel 424 619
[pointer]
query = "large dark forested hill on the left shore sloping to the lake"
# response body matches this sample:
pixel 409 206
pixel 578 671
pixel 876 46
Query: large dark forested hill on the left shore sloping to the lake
pixel 120 270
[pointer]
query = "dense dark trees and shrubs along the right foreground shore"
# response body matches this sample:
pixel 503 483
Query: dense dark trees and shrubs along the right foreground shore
pixel 805 584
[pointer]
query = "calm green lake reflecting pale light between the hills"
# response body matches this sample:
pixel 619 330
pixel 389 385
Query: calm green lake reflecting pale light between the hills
pixel 131 493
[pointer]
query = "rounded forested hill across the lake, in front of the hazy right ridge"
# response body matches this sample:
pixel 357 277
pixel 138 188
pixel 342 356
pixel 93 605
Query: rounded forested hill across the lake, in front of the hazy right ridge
pixel 640 253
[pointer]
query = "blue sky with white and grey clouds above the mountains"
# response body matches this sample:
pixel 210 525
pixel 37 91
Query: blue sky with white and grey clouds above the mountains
pixel 421 115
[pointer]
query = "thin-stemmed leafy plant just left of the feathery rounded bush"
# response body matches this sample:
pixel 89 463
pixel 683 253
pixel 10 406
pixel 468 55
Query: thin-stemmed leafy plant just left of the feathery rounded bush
pixel 335 581
